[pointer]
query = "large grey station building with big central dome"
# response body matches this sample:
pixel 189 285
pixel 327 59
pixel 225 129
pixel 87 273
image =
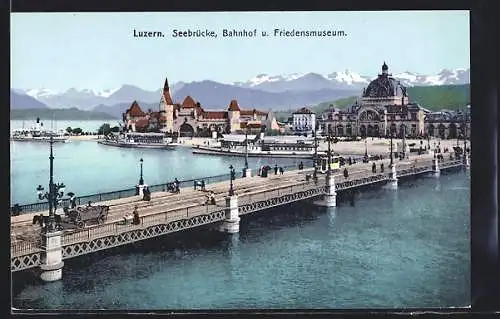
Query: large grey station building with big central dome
pixel 385 108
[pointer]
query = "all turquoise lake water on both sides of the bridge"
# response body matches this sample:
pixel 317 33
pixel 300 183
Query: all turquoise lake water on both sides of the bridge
pixel 403 248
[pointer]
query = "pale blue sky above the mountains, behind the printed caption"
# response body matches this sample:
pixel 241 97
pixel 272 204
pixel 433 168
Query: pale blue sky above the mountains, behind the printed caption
pixel 97 50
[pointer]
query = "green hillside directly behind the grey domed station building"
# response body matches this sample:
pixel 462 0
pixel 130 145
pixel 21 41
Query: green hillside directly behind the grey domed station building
pixel 433 98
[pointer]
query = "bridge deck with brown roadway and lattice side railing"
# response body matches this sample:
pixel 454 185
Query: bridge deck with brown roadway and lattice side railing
pixel 167 212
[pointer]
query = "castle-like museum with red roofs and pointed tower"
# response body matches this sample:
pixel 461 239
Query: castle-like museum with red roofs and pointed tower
pixel 190 119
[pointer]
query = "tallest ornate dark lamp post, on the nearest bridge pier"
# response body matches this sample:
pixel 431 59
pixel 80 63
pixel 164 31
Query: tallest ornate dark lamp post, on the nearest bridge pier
pixel 54 194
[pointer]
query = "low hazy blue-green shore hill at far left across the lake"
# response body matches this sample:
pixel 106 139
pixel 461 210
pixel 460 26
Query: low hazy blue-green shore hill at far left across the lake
pixel 58 114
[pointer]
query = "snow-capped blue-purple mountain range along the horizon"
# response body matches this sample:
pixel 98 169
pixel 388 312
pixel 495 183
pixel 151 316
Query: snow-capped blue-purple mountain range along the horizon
pixel 263 91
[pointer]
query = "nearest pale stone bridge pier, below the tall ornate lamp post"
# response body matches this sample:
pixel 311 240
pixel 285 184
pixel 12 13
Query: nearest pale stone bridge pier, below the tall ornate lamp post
pixel 51 259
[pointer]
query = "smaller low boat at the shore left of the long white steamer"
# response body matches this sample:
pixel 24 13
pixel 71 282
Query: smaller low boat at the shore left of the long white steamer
pixel 138 140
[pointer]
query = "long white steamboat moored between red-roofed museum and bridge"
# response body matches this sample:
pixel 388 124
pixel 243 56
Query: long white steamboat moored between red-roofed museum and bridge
pixel 259 146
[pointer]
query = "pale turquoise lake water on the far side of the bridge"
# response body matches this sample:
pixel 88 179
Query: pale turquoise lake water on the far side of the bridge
pixel 87 167
